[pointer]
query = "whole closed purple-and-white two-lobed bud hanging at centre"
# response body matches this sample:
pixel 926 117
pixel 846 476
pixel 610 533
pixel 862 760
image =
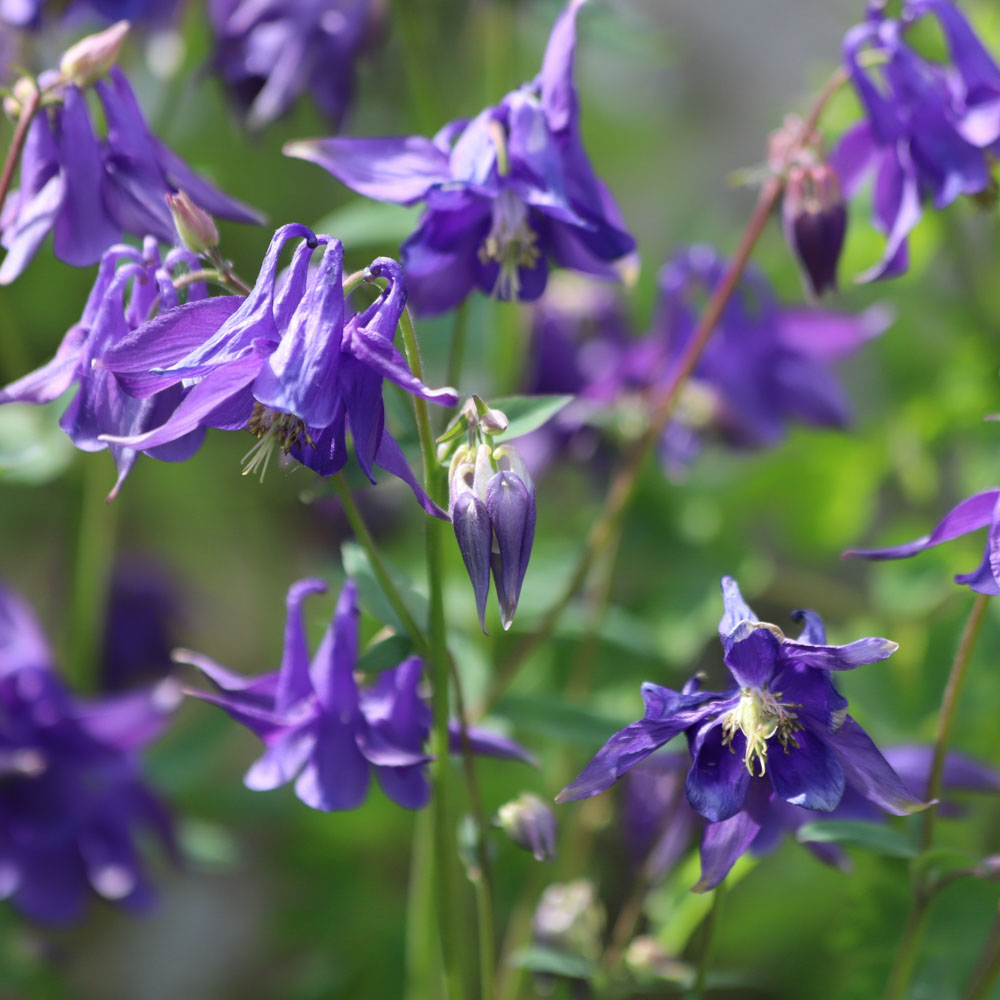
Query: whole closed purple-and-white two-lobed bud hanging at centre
pixel 492 507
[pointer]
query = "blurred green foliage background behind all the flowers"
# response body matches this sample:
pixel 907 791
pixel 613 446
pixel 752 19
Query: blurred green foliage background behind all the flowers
pixel 275 900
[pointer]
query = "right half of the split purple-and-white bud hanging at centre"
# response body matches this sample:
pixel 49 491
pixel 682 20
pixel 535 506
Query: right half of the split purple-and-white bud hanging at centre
pixel 510 501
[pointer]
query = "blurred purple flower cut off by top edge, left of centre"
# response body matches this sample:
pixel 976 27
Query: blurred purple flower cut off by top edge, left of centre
pixel 272 52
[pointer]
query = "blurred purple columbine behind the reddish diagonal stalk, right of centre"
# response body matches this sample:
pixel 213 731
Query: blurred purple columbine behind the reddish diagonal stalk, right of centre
pixel 765 365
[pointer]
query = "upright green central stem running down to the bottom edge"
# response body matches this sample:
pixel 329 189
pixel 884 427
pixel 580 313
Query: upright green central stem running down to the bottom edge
pixel 446 899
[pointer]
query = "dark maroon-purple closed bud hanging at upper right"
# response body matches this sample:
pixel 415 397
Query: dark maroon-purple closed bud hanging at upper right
pixel 815 222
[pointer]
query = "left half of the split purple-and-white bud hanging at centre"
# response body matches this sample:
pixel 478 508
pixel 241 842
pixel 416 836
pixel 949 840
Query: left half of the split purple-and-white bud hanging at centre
pixel 470 471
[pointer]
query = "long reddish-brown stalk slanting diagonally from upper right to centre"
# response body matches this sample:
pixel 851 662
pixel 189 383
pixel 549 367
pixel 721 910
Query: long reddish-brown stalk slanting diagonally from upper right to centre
pixel 619 495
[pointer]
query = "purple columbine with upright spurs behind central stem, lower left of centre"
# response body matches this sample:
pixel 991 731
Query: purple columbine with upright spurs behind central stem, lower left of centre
pixel 324 732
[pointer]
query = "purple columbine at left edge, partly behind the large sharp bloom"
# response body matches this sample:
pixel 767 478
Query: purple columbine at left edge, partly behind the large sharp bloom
pixel 130 284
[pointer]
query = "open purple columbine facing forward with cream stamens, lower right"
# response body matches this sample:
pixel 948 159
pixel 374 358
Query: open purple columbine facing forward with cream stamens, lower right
pixel 782 728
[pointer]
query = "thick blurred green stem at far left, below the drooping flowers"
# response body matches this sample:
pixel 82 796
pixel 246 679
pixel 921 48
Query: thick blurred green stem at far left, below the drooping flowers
pixel 91 575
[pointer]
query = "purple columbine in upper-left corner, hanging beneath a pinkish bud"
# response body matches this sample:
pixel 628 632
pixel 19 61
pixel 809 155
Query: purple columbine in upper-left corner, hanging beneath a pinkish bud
pixel 88 191
